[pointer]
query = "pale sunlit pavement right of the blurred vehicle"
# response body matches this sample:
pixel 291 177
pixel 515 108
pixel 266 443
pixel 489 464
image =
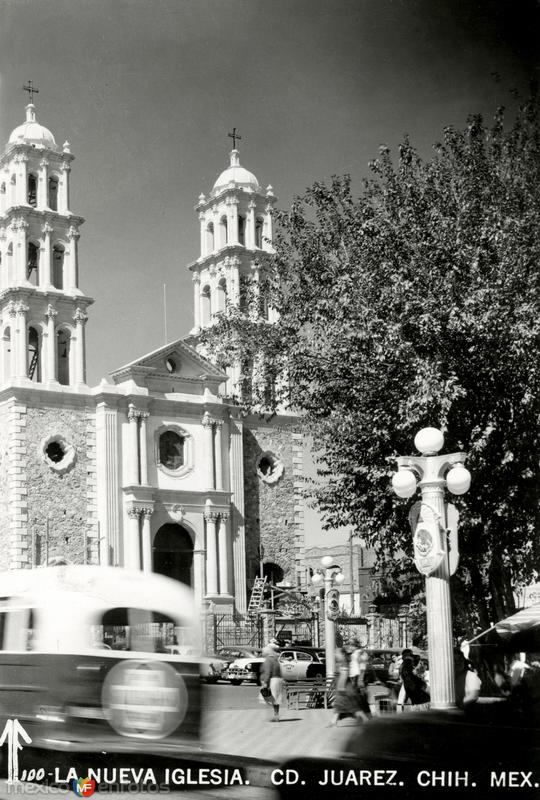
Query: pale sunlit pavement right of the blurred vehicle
pixel 249 733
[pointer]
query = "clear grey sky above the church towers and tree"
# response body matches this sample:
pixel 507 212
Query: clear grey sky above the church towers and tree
pixel 147 90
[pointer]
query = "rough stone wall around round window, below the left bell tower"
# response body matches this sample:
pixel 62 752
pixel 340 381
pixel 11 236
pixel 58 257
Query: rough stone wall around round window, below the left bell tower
pixel 62 503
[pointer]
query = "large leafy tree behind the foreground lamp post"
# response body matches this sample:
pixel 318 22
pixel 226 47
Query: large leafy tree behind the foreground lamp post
pixel 416 304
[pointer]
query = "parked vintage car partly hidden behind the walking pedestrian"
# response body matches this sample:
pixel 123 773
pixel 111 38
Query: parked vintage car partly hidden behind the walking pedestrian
pixel 297 664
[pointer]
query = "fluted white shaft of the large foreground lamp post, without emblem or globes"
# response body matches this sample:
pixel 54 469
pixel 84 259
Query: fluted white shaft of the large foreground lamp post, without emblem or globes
pixel 439 614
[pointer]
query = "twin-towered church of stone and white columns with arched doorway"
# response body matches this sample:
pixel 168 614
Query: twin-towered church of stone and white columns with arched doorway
pixel 155 468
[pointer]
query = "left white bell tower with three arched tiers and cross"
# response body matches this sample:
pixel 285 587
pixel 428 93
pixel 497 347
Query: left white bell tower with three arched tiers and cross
pixel 42 309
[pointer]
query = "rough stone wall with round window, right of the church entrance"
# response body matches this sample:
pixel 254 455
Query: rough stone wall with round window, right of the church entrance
pixel 273 510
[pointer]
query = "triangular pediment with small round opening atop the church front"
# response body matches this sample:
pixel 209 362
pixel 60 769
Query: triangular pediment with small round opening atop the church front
pixel 176 362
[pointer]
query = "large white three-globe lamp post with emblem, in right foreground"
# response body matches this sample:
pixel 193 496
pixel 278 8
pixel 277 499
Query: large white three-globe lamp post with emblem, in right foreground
pixel 435 556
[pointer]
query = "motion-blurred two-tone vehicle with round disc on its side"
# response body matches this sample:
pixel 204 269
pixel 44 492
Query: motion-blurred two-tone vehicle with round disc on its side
pixel 84 664
